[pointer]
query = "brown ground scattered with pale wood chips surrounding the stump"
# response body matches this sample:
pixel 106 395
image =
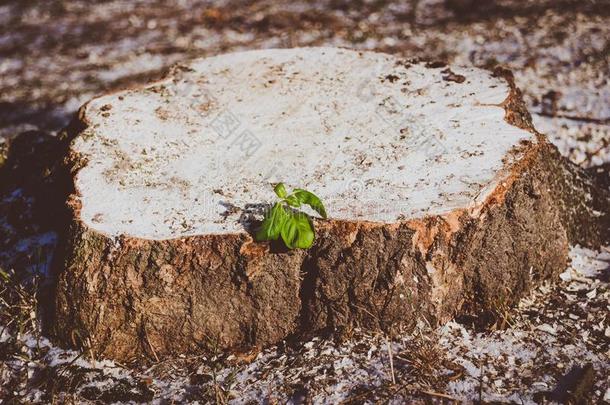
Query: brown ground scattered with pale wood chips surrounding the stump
pixel 56 55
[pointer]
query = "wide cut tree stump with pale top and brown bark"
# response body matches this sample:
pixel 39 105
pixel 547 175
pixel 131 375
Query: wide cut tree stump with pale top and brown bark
pixel 441 198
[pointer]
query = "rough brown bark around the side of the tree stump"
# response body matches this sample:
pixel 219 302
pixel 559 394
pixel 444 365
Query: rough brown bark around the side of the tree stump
pixel 129 298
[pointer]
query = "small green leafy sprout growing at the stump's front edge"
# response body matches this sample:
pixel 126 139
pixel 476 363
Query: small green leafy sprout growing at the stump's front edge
pixel 285 220
